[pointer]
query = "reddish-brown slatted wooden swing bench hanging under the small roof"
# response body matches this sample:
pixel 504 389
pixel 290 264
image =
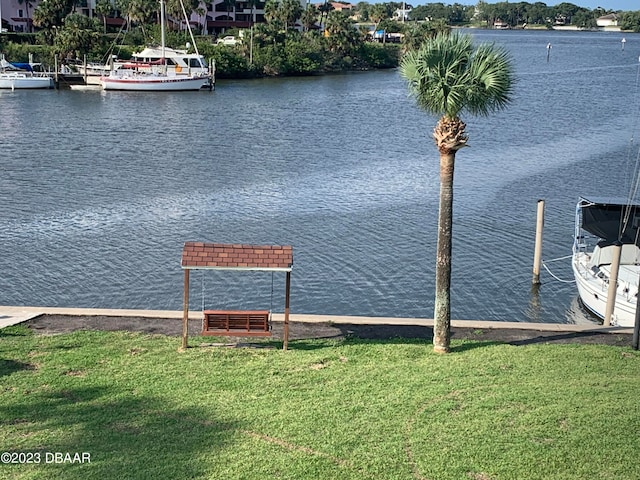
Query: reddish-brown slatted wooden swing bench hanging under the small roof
pixel 237 323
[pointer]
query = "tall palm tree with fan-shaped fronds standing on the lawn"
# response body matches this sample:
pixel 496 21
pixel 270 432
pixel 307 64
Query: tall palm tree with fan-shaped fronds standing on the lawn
pixel 447 76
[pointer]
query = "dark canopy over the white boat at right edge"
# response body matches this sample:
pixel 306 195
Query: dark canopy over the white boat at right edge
pixel 604 219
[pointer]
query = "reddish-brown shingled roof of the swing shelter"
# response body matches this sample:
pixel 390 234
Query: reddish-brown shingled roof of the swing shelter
pixel 223 256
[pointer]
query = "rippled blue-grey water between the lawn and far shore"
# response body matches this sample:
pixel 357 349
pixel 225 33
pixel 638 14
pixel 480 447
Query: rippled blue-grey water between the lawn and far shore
pixel 99 190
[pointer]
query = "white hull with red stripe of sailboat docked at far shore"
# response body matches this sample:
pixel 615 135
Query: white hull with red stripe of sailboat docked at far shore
pixel 153 83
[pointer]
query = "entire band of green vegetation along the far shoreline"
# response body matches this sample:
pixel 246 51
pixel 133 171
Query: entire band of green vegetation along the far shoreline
pixel 291 41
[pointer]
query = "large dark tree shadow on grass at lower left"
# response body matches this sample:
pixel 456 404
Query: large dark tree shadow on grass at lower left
pixel 126 435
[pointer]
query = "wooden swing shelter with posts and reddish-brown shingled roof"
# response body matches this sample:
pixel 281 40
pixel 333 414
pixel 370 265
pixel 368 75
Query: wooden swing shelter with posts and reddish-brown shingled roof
pixel 220 256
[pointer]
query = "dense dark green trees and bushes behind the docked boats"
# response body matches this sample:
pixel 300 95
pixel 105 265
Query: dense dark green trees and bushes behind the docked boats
pixel 275 47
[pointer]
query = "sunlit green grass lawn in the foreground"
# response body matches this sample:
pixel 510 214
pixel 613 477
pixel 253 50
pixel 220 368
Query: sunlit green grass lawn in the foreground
pixel 322 410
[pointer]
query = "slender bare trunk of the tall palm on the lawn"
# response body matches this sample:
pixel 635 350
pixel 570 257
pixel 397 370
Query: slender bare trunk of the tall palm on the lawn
pixel 442 312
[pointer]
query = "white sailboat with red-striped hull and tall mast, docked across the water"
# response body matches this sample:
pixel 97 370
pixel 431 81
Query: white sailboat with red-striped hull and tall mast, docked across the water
pixel 156 77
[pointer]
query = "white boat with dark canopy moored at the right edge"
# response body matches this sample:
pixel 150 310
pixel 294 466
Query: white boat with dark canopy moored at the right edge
pixel 601 226
